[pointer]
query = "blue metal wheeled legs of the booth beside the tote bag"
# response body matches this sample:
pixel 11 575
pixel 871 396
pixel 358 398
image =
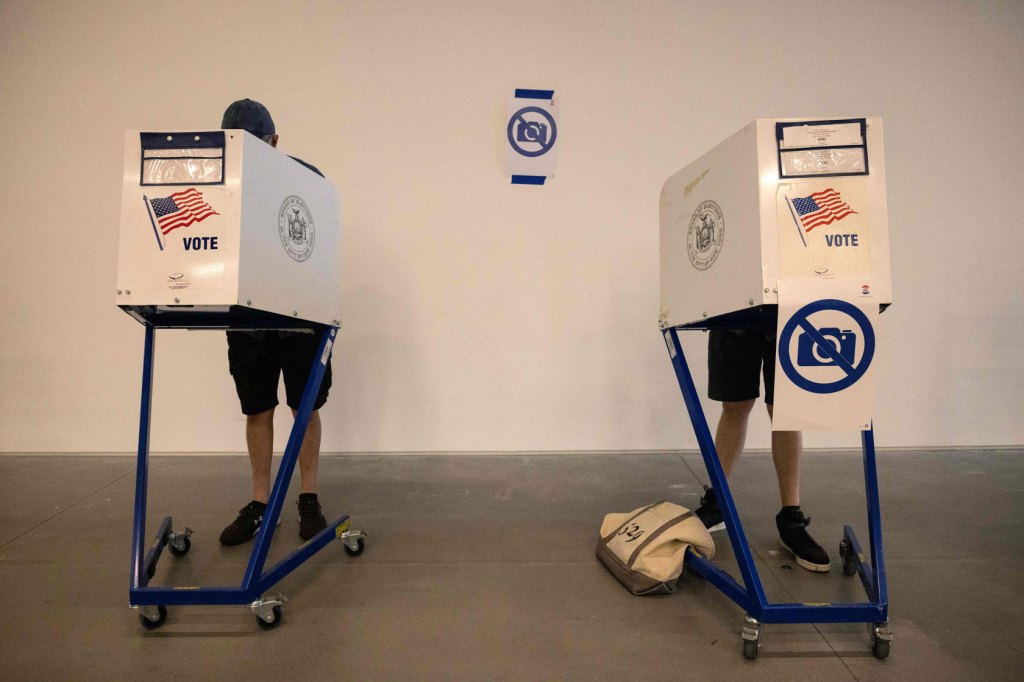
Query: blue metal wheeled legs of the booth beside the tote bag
pixel 751 596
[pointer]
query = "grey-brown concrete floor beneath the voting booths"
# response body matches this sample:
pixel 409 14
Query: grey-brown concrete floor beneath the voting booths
pixel 483 568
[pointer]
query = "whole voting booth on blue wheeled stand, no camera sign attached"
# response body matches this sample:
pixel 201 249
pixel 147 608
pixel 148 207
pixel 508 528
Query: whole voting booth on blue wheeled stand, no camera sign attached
pixel 220 231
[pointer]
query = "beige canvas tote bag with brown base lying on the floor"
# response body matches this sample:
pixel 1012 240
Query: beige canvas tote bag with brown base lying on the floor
pixel 645 548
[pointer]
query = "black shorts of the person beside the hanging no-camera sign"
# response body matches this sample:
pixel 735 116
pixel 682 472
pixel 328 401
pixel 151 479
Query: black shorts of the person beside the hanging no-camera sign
pixel 736 362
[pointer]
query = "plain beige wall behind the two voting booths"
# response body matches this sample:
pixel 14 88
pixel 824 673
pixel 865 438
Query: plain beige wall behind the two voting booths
pixel 479 316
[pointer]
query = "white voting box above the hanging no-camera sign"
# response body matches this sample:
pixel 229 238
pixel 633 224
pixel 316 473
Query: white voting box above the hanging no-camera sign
pixel 782 200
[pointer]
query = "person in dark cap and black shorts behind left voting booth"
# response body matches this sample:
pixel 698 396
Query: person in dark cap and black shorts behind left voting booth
pixel 258 361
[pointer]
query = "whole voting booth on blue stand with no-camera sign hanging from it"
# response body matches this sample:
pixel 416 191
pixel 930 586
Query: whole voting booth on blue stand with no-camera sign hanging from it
pixel 784 228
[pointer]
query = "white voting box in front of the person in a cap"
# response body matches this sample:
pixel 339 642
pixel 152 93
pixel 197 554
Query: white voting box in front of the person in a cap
pixel 221 221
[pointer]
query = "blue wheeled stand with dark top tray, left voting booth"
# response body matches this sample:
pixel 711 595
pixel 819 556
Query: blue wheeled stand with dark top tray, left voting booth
pixel 152 603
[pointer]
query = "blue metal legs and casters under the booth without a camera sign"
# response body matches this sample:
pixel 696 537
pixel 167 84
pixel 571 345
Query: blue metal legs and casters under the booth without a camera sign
pixel 152 603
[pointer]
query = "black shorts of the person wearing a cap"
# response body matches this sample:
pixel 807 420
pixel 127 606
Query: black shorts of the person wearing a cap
pixel 258 362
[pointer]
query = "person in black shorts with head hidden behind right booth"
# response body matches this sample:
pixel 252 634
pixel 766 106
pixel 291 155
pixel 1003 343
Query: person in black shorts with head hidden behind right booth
pixel 737 361
